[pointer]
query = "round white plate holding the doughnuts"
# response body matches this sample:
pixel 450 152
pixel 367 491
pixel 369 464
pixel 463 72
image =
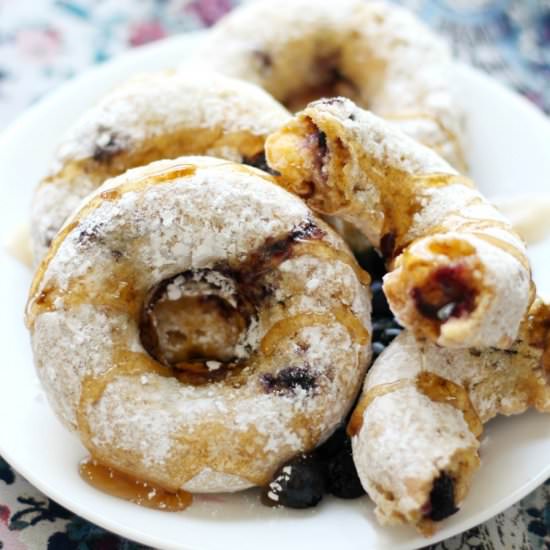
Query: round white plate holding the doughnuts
pixel 508 148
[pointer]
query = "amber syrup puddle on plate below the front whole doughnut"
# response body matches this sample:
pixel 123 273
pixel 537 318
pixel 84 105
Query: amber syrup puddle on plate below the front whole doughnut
pixel 124 486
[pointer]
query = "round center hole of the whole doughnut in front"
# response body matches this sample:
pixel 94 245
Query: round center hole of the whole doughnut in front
pixel 190 324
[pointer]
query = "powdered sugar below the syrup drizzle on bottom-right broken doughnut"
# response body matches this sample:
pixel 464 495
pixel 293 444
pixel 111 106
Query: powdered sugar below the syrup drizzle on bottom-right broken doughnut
pixel 405 443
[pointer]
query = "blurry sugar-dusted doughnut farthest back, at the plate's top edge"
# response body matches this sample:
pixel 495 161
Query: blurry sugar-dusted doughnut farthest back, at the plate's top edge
pixel 375 53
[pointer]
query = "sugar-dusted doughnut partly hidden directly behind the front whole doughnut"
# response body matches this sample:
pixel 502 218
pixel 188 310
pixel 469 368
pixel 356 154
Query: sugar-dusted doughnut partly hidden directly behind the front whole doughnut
pixel 152 117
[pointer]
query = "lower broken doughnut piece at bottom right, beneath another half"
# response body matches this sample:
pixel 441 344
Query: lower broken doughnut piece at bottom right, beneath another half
pixel 415 431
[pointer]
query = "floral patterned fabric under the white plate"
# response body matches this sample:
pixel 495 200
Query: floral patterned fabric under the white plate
pixel 45 42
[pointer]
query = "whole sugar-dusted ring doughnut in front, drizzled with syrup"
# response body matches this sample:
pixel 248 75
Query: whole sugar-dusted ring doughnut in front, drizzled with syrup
pixel 176 403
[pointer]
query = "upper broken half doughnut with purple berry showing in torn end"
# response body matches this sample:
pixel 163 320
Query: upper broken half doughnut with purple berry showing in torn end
pixel 459 274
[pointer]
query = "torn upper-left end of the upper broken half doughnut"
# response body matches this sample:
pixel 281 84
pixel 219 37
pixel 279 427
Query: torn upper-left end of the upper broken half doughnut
pixel 309 159
